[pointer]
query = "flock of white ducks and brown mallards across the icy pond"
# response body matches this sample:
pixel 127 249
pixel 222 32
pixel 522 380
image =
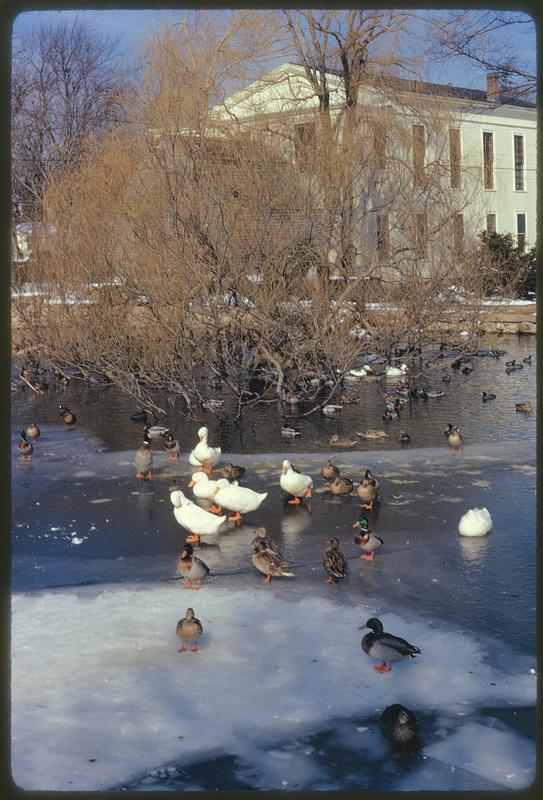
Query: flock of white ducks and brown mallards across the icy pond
pixel 398 724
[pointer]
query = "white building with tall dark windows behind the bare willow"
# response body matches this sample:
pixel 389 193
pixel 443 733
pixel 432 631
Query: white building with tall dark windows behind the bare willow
pixel 480 145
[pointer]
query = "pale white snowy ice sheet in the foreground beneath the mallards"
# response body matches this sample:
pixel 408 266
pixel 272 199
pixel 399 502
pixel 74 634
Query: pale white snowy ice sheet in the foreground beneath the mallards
pixel 101 695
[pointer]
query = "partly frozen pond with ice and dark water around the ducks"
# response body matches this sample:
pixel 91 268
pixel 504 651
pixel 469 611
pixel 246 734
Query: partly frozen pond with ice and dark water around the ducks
pixel 281 695
